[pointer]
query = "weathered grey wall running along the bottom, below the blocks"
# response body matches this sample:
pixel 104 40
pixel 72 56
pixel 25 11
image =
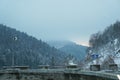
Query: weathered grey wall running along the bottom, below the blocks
pixel 57 74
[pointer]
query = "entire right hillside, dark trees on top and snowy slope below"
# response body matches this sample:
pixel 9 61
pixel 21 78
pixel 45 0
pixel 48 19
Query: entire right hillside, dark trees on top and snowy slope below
pixel 106 44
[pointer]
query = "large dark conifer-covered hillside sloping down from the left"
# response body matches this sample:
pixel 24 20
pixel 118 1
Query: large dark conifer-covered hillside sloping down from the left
pixel 26 50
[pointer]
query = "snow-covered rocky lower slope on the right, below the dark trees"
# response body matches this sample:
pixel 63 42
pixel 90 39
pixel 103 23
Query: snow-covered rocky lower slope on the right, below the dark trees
pixel 110 50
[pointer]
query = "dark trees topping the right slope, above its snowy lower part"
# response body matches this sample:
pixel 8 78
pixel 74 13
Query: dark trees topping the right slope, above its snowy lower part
pixel 108 35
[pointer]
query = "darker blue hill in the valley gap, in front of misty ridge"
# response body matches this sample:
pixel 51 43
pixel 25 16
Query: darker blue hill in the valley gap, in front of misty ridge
pixel 78 51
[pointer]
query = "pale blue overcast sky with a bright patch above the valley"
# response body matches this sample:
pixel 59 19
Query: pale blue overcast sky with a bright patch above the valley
pixel 73 20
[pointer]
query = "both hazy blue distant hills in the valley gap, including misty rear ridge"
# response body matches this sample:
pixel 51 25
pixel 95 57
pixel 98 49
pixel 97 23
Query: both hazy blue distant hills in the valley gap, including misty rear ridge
pixel 70 48
